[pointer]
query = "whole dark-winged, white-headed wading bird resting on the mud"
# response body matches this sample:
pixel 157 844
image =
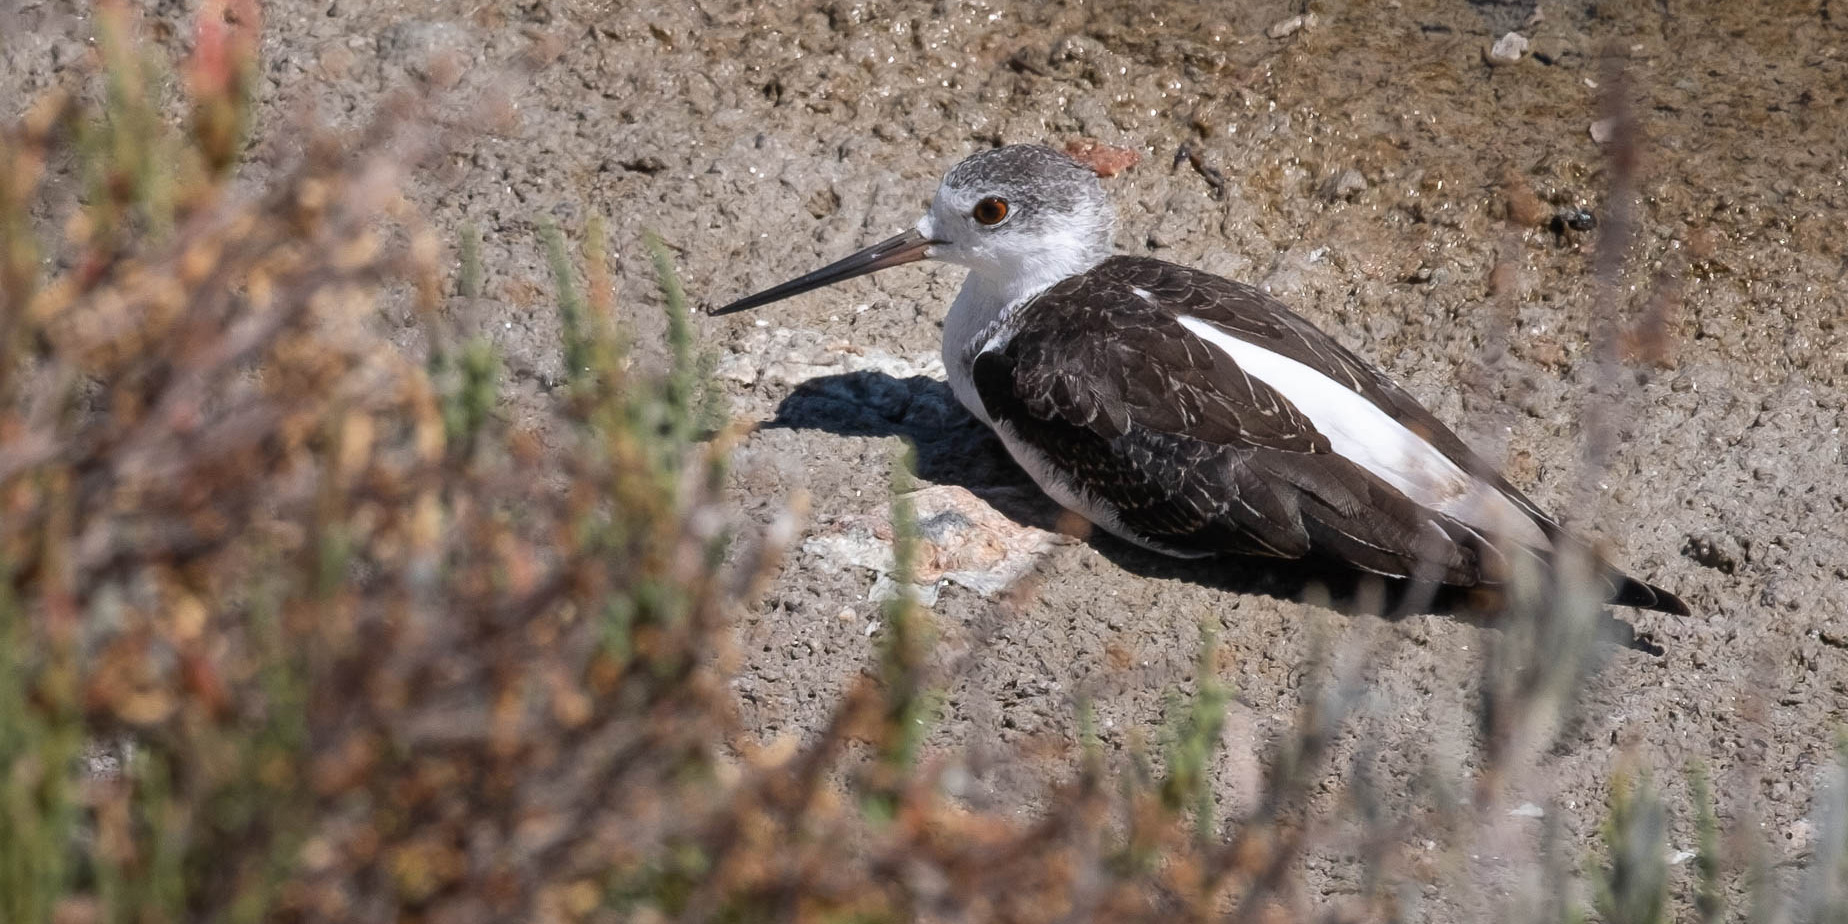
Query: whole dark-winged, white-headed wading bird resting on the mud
pixel 1193 415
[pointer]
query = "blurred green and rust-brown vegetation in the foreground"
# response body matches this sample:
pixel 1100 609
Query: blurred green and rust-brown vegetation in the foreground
pixel 295 627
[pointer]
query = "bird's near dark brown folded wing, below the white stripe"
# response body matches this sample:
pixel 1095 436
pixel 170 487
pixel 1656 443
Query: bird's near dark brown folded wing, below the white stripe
pixel 1193 454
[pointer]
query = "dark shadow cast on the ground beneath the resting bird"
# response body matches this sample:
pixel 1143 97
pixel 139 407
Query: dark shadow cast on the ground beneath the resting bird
pixel 954 448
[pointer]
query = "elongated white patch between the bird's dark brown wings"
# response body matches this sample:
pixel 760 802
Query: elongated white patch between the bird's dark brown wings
pixel 1374 441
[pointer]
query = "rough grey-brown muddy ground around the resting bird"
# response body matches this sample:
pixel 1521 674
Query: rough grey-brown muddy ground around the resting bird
pixel 1376 173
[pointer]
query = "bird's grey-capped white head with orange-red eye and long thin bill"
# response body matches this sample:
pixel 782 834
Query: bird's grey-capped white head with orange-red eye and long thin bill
pixel 1019 217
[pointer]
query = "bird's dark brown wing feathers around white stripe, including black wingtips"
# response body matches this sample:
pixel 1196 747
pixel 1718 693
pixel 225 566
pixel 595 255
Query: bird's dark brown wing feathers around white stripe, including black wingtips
pixel 1191 454
